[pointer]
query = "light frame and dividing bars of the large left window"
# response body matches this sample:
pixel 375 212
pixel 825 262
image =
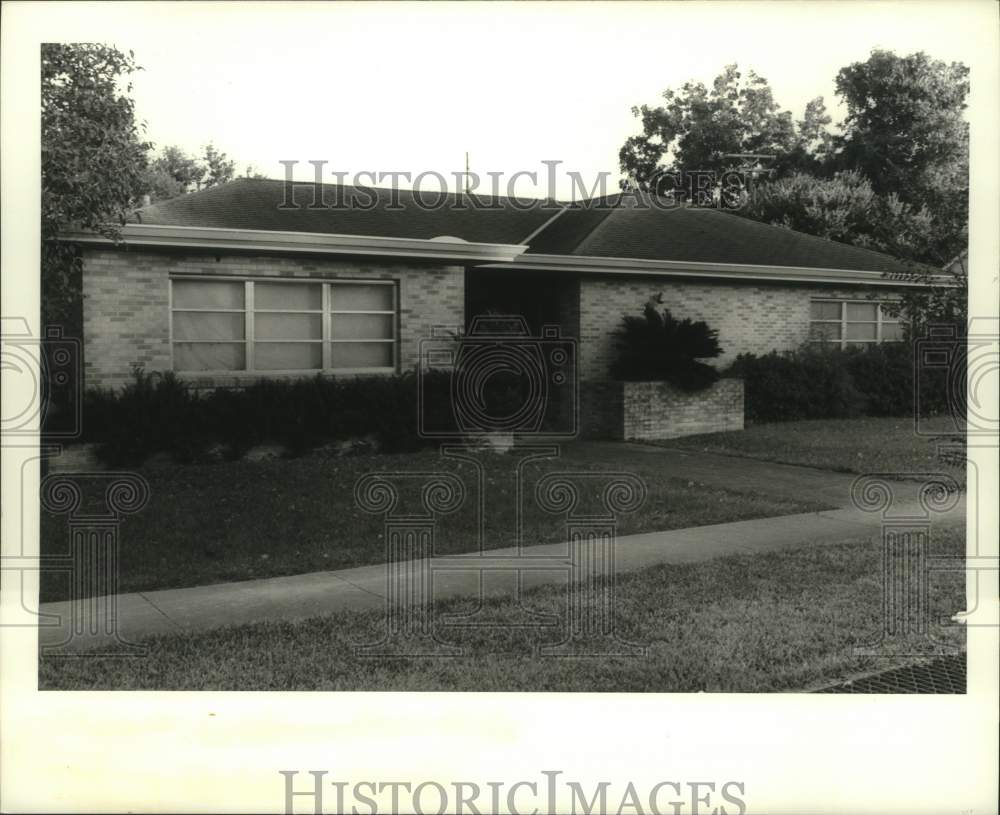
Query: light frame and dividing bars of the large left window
pixel 327 319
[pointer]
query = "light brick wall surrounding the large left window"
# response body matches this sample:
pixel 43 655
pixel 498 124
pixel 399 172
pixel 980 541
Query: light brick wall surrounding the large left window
pixel 126 302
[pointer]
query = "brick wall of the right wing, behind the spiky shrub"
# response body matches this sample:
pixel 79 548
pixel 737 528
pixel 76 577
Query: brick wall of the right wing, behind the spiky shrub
pixel 749 318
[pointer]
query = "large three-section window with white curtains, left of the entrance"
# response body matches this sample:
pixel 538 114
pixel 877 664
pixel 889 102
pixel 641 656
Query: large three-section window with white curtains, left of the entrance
pixel 259 326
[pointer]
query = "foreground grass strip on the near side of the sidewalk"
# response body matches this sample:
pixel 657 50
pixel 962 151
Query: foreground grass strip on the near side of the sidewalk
pixel 770 622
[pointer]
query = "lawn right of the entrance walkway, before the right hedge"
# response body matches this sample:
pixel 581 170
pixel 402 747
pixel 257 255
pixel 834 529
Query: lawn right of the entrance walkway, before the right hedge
pixel 866 445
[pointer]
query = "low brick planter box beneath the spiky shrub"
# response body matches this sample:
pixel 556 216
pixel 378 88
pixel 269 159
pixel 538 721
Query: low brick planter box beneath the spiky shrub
pixel 658 410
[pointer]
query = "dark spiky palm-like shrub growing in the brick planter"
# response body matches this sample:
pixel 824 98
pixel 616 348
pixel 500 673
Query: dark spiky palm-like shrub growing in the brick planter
pixel 659 347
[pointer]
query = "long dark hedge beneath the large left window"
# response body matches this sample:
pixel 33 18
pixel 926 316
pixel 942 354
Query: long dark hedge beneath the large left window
pixel 160 414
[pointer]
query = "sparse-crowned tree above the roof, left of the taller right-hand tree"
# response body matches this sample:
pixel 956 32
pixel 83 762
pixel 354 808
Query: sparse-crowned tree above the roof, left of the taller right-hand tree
pixel 700 129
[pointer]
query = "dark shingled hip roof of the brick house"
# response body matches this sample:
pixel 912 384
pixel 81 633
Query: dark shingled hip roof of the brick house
pixel 615 227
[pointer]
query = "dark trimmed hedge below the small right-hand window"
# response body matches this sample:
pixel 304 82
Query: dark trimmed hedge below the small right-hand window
pixel 821 382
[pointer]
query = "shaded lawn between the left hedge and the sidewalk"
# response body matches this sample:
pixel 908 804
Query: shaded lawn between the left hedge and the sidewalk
pixel 244 520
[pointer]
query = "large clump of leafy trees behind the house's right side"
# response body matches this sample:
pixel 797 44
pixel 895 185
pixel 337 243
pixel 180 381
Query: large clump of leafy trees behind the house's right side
pixel 896 180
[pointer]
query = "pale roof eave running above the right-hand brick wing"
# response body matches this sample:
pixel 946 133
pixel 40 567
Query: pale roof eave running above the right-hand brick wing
pixel 735 271
